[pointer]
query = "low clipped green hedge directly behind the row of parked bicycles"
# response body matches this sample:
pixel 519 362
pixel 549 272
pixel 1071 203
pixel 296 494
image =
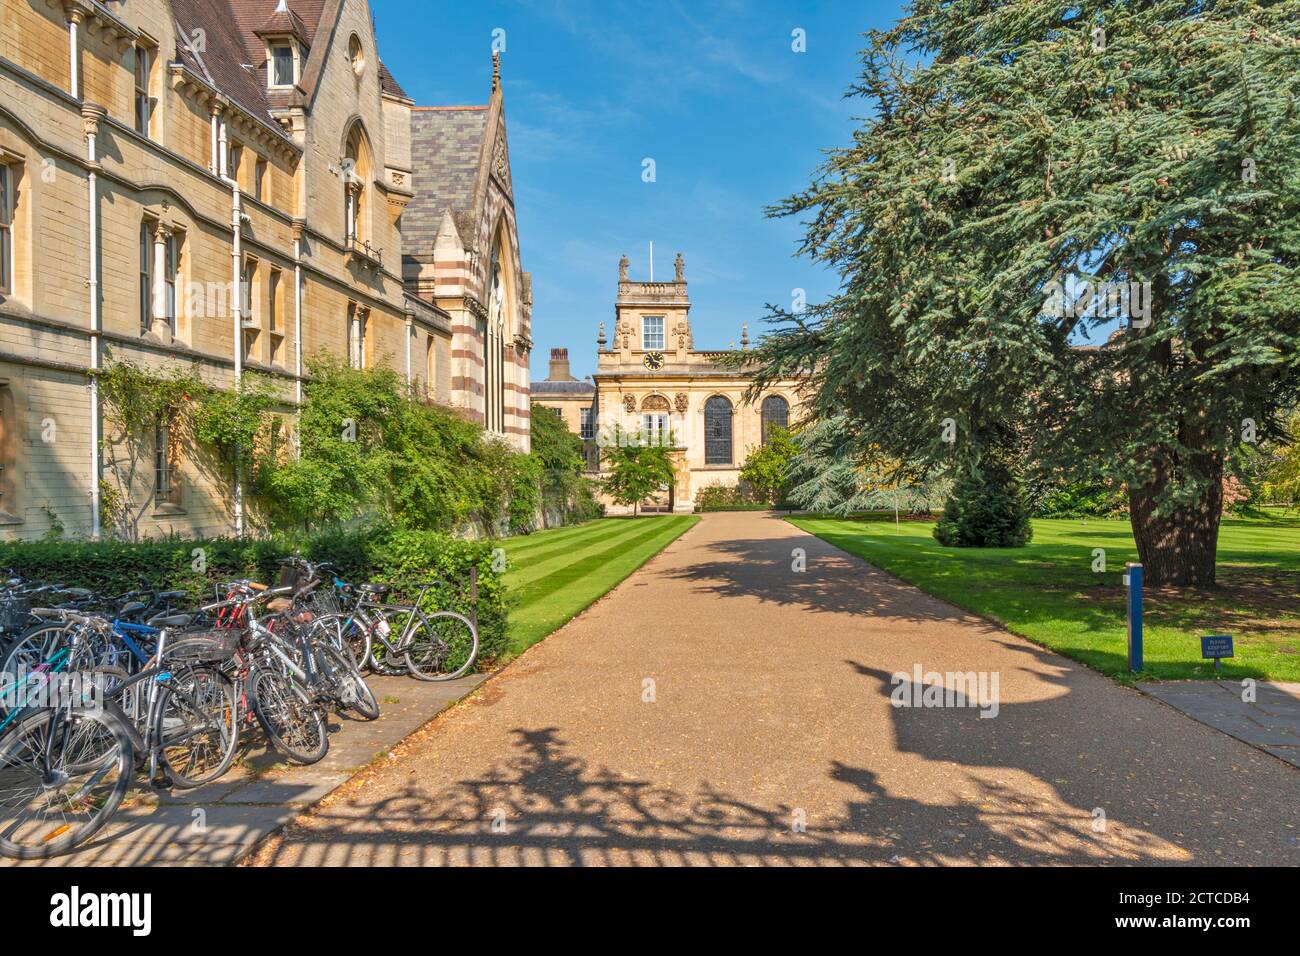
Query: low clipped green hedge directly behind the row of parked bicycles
pixel 383 555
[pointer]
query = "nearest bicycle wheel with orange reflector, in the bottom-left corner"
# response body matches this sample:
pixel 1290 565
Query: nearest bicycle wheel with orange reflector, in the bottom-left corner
pixel 63 776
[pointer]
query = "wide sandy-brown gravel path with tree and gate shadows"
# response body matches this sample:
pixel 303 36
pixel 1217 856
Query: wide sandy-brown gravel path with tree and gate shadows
pixel 720 708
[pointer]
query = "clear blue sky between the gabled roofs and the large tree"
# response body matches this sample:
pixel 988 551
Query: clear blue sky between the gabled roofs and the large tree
pixel 713 92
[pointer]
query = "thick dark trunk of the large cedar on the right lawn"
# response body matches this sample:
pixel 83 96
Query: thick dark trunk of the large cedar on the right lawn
pixel 1178 548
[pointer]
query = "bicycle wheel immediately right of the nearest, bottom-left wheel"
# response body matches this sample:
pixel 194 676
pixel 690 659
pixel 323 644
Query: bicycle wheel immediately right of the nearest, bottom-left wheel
pixel 196 728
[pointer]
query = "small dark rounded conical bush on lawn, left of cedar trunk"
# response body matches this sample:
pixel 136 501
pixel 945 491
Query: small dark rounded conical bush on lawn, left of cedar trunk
pixel 986 511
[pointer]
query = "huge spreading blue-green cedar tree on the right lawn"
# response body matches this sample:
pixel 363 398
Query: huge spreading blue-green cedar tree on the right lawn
pixel 1015 146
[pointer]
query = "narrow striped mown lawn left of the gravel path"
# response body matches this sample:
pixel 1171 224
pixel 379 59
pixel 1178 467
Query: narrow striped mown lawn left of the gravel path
pixel 553 576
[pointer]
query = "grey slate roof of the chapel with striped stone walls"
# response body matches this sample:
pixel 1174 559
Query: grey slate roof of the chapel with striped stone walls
pixel 445 144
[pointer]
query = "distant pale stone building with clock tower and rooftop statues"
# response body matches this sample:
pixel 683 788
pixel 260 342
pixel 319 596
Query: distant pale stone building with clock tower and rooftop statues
pixel 651 379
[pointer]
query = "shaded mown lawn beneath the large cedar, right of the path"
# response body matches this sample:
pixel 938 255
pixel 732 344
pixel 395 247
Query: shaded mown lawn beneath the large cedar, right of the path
pixel 1050 594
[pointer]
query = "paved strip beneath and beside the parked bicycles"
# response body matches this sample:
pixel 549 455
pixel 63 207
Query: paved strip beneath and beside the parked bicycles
pixel 220 824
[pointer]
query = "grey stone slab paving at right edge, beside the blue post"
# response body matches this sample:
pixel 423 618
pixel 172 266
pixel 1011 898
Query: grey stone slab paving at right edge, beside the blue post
pixel 1260 713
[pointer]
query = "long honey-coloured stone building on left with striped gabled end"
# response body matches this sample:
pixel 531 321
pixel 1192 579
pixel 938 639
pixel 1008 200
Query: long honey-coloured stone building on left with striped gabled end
pixel 224 184
